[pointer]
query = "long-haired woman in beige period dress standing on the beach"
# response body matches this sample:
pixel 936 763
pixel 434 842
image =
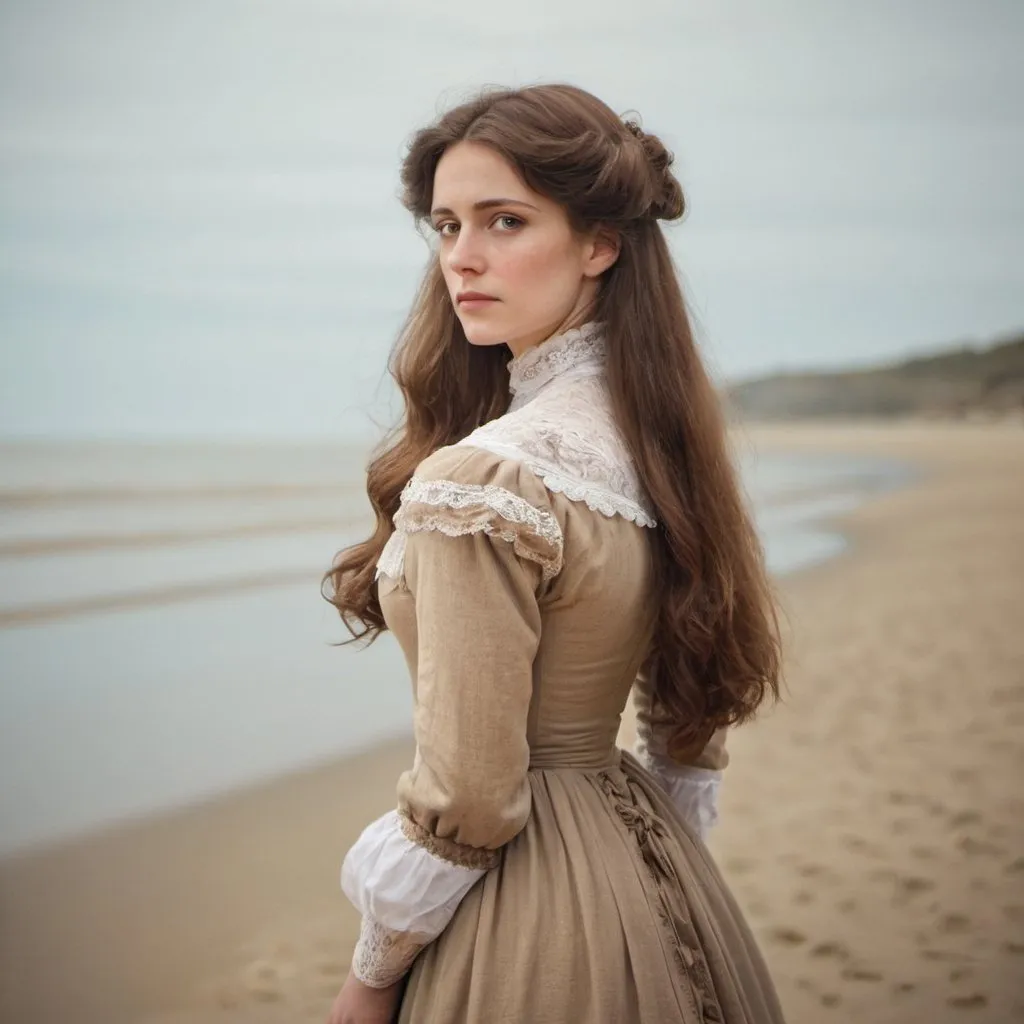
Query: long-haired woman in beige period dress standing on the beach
pixel 553 532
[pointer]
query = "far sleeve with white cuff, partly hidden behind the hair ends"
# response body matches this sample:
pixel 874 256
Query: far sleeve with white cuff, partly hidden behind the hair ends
pixel 693 784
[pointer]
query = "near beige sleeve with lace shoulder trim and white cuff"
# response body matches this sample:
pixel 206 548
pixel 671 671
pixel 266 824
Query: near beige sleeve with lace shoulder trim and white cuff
pixel 478 545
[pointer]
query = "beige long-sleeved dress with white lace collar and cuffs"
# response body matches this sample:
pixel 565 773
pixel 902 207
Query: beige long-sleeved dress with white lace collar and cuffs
pixel 533 872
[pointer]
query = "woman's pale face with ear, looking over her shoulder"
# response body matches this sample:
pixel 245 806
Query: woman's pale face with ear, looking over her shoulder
pixel 499 239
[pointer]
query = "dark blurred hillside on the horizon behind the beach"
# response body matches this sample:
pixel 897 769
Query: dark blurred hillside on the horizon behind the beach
pixel 959 383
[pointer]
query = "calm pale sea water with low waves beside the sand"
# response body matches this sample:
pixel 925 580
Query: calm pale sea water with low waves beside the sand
pixel 163 637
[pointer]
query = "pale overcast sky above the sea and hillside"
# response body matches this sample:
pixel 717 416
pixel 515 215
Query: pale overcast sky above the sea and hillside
pixel 200 234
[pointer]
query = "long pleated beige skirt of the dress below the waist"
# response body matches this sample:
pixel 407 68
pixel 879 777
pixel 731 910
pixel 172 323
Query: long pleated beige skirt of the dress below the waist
pixel 606 910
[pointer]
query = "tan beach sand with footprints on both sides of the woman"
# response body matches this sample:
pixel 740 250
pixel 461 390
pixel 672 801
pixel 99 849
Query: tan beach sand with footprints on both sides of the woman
pixel 873 826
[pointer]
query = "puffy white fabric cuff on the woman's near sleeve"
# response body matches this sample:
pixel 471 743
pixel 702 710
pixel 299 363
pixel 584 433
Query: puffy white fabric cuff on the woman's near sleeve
pixel 402 886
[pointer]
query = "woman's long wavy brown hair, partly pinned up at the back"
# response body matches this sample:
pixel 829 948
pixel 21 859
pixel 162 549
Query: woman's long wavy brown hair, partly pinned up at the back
pixel 716 655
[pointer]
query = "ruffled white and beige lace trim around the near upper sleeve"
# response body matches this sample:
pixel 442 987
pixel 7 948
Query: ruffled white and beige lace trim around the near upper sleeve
pixel 534 534
